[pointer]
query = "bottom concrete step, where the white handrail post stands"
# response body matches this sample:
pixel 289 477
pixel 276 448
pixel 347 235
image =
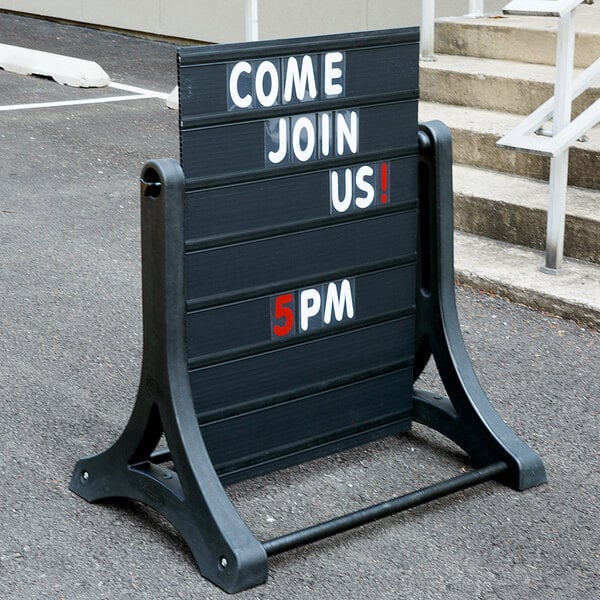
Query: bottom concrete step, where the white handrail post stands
pixel 514 272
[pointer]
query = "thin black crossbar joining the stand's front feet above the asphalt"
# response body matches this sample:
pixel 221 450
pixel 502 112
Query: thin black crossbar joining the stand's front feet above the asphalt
pixel 384 509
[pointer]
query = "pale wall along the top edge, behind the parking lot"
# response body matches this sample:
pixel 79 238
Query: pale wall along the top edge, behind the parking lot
pixel 224 20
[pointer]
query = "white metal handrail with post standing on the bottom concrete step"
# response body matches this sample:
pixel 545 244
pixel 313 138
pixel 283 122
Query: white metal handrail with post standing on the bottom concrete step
pixel 564 131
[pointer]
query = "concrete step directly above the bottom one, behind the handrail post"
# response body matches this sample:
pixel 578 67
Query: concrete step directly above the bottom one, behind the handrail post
pixel 514 209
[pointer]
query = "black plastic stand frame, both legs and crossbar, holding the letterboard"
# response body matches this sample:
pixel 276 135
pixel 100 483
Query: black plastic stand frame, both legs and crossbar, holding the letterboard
pixel 190 493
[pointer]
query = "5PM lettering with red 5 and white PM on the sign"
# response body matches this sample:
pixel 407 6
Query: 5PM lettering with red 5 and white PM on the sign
pixel 312 308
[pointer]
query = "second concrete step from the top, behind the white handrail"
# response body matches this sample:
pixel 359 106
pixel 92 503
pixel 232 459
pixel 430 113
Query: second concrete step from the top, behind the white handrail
pixel 492 84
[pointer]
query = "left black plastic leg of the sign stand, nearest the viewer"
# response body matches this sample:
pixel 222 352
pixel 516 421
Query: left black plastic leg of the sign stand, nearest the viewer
pixel 191 497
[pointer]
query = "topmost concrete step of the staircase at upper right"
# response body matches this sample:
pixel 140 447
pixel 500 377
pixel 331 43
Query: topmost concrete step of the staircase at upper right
pixel 525 39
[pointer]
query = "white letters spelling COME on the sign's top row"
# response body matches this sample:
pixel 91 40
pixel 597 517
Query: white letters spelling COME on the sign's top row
pixel 276 81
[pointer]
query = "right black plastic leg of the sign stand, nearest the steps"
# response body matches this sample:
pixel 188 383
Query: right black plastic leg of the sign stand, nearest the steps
pixel 467 416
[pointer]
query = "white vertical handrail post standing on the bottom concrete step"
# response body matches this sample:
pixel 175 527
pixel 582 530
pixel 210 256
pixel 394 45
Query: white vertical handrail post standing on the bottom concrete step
pixel 559 166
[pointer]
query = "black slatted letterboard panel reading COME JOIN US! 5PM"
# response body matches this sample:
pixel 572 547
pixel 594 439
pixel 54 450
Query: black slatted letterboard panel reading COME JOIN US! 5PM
pixel 300 159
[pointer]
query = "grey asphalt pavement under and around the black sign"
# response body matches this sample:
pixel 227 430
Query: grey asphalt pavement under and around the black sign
pixel 70 350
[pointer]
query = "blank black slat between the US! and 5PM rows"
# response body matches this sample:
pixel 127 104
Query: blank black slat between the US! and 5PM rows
pixel 338 248
